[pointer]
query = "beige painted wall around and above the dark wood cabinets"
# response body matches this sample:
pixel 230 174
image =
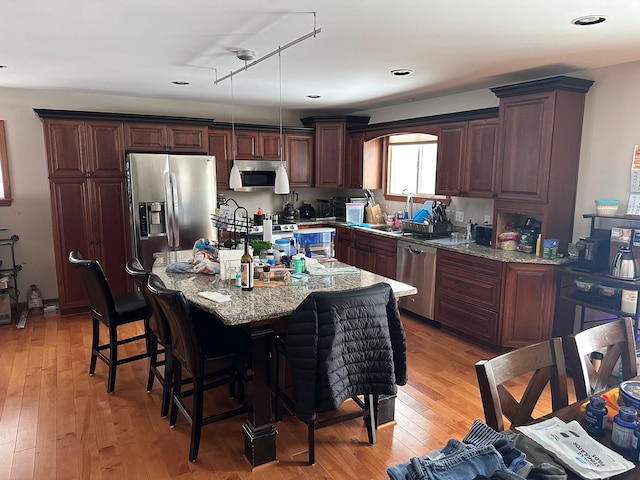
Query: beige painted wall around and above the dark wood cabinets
pixel 611 129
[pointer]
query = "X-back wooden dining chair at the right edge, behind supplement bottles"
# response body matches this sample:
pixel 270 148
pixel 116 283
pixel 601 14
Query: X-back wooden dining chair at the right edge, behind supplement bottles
pixel 615 341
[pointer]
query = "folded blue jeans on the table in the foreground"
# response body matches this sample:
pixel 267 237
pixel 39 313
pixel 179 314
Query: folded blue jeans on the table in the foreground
pixel 458 461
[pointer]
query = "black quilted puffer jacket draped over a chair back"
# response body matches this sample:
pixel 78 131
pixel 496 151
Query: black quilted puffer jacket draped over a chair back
pixel 343 344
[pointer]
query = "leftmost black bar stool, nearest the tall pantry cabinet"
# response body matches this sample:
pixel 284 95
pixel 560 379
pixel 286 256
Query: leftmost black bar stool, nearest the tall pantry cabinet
pixel 112 312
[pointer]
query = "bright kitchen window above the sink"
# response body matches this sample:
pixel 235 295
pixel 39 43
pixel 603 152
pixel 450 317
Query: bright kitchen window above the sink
pixel 411 166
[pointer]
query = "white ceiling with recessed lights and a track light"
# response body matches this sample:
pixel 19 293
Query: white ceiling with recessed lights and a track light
pixel 138 47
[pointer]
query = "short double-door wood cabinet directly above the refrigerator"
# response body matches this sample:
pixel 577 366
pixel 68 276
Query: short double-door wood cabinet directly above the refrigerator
pixel 157 137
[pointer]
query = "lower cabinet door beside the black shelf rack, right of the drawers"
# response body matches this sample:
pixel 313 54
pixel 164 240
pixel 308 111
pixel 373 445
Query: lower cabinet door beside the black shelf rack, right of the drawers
pixel 529 302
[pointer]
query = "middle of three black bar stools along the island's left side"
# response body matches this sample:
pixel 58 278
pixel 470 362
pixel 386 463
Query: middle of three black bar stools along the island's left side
pixel 158 340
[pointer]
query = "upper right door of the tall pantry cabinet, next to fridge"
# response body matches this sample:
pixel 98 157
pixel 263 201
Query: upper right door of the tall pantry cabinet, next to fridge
pixel 105 148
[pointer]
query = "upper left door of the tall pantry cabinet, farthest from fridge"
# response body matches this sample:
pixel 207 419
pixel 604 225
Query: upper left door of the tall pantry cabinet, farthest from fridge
pixel 66 147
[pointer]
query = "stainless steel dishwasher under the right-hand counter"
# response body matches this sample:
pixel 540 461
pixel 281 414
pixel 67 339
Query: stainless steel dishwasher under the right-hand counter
pixel 417 267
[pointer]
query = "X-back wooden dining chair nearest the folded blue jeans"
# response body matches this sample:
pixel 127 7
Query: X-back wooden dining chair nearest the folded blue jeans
pixel 543 361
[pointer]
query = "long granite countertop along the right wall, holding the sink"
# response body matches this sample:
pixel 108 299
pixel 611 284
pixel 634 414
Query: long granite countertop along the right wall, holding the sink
pixel 465 248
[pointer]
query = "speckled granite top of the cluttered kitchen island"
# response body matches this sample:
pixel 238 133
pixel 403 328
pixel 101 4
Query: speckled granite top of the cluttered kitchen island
pixel 263 302
